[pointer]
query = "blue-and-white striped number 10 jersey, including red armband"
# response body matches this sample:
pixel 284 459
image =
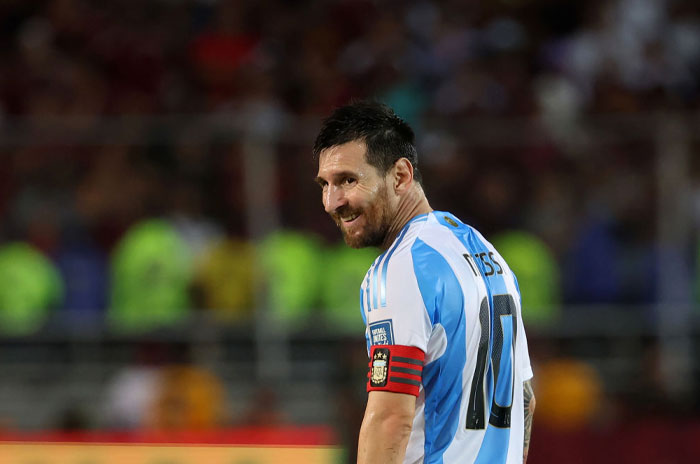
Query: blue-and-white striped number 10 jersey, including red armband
pixel 443 316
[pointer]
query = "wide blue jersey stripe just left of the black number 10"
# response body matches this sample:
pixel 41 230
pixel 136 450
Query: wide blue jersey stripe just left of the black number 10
pixel 440 288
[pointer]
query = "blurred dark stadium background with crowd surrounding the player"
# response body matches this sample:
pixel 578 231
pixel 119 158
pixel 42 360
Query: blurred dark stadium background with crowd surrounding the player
pixel 166 266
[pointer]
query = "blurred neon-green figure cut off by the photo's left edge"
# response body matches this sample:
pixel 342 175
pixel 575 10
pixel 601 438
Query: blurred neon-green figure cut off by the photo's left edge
pixel 30 286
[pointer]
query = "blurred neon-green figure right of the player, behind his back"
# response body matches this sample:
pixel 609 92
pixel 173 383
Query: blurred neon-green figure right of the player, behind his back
pixel 538 274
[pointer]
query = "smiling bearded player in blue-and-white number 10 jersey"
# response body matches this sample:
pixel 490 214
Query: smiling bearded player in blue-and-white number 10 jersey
pixel 449 367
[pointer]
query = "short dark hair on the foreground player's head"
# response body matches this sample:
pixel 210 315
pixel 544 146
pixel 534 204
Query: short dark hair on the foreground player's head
pixel 387 137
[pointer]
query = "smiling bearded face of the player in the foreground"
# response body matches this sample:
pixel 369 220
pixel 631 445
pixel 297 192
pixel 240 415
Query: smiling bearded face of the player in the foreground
pixel 354 194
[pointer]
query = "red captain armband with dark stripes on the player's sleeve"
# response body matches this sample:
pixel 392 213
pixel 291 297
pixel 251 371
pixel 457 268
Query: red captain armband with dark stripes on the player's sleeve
pixel 395 368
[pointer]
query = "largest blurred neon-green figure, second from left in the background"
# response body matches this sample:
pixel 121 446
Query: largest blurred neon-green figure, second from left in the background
pixel 150 273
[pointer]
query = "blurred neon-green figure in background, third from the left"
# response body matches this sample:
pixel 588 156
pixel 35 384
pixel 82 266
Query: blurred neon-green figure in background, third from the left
pixel 290 265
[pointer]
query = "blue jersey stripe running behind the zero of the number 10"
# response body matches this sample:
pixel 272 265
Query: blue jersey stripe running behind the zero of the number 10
pixel 494 448
